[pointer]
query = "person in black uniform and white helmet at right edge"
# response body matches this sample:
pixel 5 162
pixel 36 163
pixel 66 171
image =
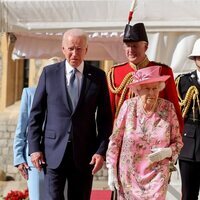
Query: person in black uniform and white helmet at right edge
pixel 188 87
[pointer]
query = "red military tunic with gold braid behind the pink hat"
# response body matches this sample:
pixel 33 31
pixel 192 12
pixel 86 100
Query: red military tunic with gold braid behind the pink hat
pixel 121 75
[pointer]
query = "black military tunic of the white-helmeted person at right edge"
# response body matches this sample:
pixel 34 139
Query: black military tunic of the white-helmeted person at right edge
pixel 191 133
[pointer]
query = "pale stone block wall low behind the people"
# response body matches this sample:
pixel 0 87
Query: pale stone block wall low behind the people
pixel 8 121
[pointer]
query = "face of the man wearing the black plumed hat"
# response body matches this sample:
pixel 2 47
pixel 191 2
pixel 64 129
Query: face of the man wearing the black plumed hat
pixel 135 51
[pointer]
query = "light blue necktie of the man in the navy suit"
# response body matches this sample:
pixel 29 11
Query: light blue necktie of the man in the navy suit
pixel 73 88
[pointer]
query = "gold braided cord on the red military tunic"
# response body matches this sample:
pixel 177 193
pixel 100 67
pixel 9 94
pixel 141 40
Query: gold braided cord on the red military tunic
pixel 122 88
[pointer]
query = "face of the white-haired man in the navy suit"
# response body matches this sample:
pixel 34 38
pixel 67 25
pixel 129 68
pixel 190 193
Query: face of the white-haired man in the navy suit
pixel 74 49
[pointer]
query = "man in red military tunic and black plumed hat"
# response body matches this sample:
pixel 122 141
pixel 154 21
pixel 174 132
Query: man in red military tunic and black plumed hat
pixel 135 45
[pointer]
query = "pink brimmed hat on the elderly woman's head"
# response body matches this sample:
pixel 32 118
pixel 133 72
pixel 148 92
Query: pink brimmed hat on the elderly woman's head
pixel 148 75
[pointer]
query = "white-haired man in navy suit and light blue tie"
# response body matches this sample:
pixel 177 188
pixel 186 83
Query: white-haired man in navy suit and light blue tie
pixel 72 97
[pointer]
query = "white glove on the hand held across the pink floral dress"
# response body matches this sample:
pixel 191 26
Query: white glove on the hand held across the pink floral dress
pixel 160 154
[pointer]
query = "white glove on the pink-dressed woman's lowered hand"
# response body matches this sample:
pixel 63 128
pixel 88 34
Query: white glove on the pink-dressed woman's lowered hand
pixel 112 179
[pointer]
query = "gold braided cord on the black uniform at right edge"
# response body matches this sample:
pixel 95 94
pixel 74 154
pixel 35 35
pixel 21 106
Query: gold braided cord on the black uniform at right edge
pixel 192 94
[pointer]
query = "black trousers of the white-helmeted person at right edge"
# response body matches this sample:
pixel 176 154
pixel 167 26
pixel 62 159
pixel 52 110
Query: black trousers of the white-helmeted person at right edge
pixel 190 178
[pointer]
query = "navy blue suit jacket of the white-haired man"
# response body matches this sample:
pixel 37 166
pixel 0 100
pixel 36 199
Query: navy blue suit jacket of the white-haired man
pixel 90 123
